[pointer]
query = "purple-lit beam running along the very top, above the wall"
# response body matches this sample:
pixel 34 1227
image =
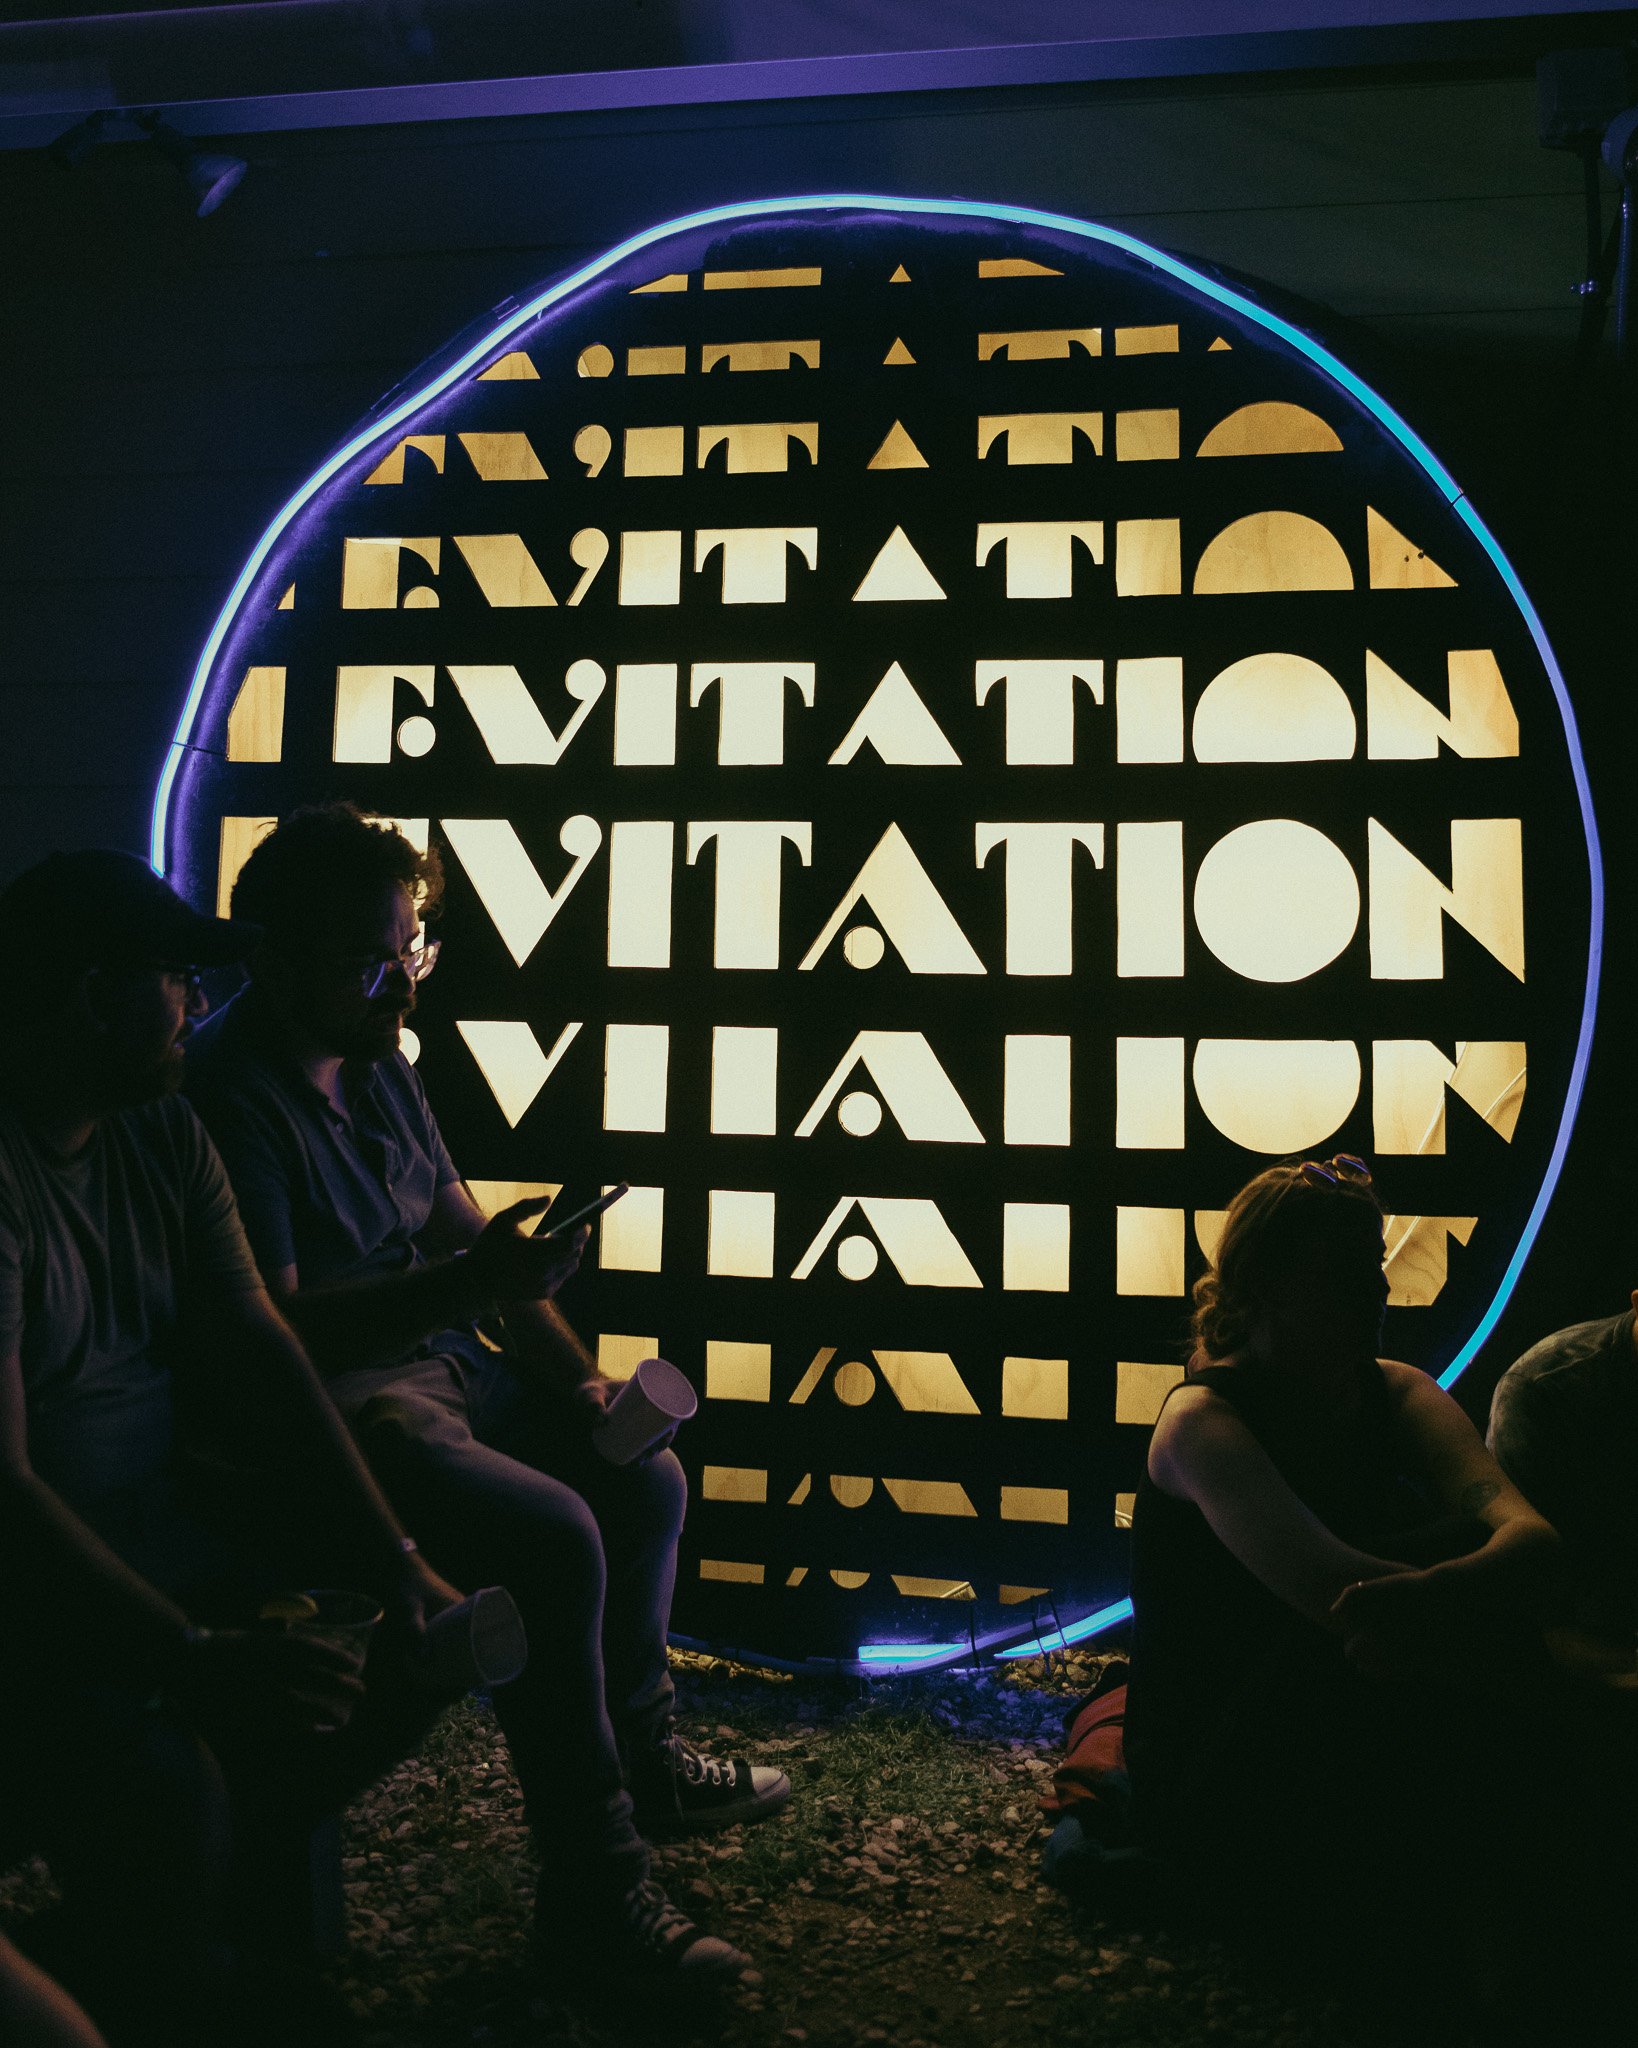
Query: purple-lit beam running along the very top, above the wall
pixel 314 65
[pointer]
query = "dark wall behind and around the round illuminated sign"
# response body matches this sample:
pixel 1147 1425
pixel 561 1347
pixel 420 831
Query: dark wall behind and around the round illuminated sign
pixel 167 382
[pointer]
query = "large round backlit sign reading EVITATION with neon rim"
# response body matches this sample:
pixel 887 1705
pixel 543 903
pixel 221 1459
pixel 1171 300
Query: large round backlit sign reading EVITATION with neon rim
pixel 955 740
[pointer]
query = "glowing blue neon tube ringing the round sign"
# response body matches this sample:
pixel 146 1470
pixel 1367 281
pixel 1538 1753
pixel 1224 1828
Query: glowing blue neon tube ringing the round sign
pixel 1199 284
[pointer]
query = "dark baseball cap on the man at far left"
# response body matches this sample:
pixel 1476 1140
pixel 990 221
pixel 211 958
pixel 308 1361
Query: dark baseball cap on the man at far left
pixel 112 906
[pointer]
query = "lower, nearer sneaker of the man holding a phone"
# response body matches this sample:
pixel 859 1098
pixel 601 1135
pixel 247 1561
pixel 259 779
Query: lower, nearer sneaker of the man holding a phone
pixel 642 1945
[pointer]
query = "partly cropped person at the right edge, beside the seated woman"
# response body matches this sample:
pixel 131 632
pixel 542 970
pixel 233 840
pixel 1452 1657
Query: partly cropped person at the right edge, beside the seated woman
pixel 1565 1431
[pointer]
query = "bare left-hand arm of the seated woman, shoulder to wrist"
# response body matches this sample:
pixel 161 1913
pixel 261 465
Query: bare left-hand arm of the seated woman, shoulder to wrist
pixel 1205 1453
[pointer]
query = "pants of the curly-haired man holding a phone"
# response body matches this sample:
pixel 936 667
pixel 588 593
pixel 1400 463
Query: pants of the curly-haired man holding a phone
pixel 503 1494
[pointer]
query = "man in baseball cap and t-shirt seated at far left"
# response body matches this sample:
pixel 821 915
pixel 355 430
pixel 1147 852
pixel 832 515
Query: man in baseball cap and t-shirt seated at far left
pixel 142 1711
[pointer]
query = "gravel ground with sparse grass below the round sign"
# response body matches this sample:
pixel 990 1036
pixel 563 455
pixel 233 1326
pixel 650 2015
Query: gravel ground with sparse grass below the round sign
pixel 896 1900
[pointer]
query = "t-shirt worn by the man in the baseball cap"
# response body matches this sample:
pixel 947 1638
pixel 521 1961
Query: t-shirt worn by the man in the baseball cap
pixel 101 1254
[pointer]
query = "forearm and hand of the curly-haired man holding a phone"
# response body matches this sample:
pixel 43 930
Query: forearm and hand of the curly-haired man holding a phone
pixel 490 1263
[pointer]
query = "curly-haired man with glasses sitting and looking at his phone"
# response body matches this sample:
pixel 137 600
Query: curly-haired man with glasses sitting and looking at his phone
pixel 386 1265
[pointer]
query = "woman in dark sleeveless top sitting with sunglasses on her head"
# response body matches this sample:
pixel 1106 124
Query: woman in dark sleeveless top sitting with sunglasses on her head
pixel 1334 1586
